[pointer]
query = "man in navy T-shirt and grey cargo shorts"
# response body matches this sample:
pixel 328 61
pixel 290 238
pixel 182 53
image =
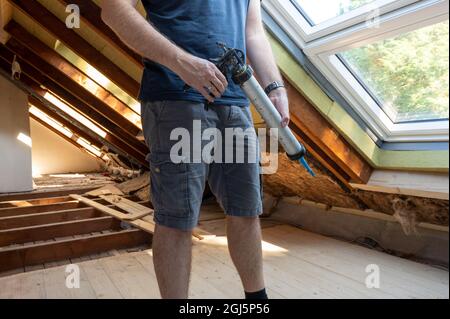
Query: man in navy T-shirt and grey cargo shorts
pixel 177 40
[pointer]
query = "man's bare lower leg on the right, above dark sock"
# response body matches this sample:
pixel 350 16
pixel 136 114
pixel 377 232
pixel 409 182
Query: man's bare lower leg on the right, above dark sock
pixel 244 244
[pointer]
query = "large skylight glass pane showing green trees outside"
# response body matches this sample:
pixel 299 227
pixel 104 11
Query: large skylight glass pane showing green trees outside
pixel 408 74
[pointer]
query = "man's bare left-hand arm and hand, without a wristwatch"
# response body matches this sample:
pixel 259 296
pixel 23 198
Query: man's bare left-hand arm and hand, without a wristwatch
pixel 124 19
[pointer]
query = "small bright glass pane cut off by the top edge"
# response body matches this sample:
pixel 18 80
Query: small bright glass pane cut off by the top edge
pixel 318 11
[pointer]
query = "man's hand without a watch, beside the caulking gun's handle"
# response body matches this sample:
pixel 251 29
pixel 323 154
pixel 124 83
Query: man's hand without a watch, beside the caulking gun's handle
pixel 201 75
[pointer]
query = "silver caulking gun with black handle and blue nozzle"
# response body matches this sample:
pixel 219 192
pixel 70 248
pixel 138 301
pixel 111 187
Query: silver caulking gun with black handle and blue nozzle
pixel 233 62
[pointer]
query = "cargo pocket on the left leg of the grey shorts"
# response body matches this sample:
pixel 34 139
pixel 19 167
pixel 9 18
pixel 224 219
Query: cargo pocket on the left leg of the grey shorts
pixel 170 191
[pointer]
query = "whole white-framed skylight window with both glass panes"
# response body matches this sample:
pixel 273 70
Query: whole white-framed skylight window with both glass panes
pixel 386 61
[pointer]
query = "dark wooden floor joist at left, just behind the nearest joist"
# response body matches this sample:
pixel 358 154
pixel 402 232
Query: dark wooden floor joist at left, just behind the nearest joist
pixel 51 231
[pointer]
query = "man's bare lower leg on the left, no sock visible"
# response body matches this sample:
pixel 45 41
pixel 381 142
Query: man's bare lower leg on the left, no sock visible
pixel 172 254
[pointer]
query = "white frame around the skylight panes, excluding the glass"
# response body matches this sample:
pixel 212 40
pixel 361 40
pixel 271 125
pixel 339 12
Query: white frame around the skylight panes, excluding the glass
pixel 322 42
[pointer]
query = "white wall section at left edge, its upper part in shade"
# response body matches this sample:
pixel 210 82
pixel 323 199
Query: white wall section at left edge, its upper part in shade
pixel 15 156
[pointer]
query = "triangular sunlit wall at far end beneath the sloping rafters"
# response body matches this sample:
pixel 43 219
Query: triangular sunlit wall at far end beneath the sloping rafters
pixel 54 155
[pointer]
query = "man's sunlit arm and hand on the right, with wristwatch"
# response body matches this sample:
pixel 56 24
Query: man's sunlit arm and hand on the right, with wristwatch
pixel 262 59
